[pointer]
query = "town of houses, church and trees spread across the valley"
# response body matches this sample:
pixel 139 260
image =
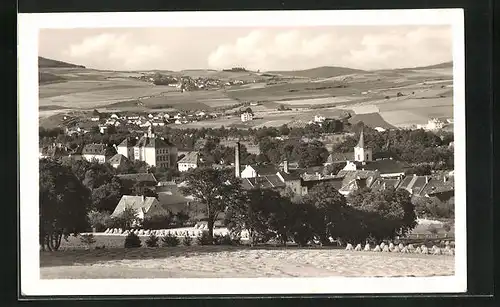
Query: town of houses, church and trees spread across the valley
pixel 139 162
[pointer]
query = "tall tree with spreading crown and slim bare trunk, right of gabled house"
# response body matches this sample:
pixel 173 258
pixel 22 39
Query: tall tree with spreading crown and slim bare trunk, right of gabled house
pixel 216 189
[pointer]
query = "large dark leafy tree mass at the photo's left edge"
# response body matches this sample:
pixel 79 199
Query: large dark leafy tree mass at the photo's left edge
pixel 64 203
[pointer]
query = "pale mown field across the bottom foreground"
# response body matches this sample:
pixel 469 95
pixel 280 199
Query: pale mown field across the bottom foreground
pixel 243 262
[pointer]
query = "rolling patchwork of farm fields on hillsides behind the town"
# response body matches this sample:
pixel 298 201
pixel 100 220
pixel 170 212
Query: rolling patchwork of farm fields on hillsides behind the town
pixel 402 97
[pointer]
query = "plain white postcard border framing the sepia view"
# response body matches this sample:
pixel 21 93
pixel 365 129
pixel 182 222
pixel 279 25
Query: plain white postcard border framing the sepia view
pixel 31 284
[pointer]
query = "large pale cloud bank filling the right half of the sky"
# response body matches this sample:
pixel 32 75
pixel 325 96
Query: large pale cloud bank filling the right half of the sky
pixel 301 49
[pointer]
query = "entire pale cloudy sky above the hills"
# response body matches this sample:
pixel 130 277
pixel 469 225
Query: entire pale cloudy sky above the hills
pixel 265 49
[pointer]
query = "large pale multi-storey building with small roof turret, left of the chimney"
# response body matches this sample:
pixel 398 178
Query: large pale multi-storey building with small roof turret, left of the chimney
pixel 154 150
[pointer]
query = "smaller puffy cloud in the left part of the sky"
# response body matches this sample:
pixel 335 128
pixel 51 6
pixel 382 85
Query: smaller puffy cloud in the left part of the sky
pixel 115 50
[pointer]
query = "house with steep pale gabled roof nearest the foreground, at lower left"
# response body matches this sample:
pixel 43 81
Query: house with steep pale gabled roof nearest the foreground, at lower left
pixel 144 206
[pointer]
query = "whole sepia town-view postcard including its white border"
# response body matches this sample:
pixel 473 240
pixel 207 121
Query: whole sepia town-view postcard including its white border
pixel 242 152
